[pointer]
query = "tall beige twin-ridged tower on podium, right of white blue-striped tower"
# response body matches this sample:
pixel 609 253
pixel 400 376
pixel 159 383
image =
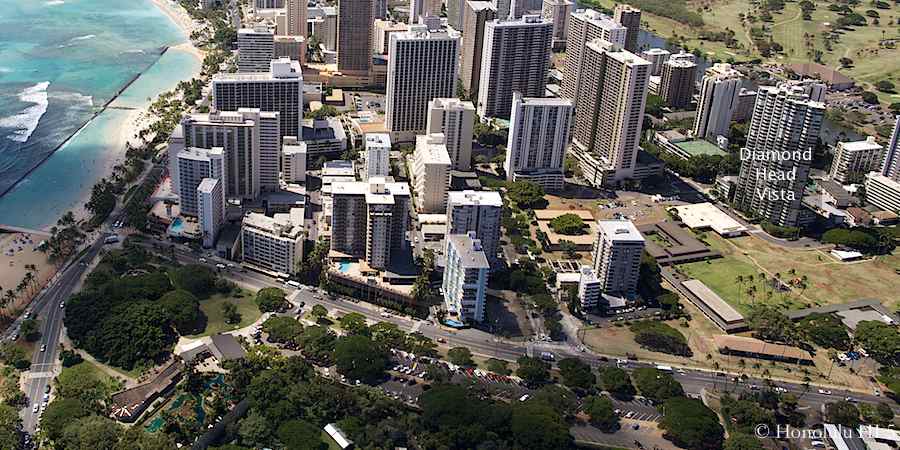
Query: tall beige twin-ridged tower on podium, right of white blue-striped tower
pixel 610 113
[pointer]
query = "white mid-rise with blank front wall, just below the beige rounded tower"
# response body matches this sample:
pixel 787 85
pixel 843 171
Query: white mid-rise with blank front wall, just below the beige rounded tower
pixel 431 173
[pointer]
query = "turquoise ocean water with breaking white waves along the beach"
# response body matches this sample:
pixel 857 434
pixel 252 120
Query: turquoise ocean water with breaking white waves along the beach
pixel 60 62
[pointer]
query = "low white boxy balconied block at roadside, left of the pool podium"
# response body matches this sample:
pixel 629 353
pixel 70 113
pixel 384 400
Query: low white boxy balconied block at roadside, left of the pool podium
pixel 273 244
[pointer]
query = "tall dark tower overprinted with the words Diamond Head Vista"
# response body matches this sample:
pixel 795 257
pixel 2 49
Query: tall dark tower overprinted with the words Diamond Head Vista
pixel 775 163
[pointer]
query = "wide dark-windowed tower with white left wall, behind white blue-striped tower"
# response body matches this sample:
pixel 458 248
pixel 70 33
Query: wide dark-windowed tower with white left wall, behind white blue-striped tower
pixel 515 58
